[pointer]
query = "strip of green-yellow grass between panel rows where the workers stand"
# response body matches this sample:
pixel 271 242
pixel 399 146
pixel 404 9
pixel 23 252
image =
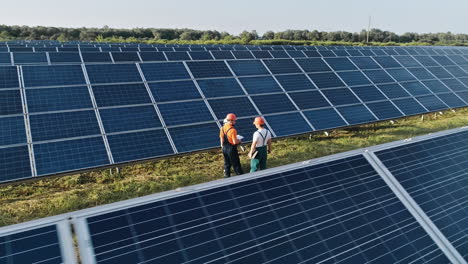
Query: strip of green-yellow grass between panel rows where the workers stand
pixel 52 196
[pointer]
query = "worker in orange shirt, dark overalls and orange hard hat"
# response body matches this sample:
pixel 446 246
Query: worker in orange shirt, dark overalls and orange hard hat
pixel 229 141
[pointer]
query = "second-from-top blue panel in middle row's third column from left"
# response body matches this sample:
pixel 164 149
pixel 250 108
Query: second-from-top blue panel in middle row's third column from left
pixel 121 94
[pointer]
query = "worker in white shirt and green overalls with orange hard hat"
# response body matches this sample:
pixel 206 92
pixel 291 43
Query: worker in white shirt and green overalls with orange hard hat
pixel 261 146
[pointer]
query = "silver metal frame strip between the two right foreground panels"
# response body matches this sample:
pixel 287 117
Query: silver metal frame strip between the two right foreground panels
pixel 414 209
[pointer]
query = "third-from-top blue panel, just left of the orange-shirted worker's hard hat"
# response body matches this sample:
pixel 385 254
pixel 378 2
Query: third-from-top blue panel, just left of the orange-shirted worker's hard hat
pixel 185 113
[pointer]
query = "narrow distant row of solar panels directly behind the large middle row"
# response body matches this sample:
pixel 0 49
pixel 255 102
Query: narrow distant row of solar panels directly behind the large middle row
pixel 123 57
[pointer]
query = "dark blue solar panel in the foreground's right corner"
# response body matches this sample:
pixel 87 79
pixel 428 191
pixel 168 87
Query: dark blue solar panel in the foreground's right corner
pixel 433 173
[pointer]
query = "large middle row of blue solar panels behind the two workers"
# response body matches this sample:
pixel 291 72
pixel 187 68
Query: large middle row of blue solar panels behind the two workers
pixel 63 118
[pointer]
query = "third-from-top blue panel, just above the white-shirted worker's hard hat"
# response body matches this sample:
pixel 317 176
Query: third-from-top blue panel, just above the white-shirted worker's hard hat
pixel 274 103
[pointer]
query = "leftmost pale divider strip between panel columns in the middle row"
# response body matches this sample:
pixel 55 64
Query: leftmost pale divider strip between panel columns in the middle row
pixel 27 123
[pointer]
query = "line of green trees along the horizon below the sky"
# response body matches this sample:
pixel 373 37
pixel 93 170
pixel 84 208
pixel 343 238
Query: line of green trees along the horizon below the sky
pixel 159 35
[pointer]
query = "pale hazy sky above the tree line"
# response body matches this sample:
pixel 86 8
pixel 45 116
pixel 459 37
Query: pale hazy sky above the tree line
pixel 398 16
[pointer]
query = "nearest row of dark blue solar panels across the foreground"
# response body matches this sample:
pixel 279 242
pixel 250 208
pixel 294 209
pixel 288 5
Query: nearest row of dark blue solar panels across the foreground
pixel 339 209
